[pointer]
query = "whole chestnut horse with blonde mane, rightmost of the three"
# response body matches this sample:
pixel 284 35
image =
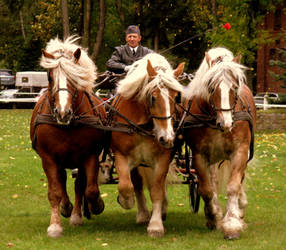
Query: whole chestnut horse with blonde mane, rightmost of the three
pixel 219 123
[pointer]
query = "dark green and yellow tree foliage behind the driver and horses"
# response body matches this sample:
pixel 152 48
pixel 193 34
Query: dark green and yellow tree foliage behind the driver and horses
pixel 182 29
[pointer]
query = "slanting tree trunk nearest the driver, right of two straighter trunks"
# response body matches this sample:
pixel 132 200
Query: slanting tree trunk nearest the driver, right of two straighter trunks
pixel 100 31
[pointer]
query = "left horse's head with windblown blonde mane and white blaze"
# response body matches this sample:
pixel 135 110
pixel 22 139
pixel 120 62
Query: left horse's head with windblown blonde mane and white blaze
pixel 69 72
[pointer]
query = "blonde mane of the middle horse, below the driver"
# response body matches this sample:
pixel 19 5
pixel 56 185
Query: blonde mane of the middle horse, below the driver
pixel 136 81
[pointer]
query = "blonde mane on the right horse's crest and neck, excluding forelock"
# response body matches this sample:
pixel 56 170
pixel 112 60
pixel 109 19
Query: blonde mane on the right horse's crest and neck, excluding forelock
pixel 195 87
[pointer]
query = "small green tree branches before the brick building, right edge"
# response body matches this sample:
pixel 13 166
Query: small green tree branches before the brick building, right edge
pixel 281 63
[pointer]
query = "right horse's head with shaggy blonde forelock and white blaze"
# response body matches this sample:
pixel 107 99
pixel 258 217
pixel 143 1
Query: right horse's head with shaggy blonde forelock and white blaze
pixel 225 81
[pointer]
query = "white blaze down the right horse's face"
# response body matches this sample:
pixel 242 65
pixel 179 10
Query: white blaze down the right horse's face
pixel 227 117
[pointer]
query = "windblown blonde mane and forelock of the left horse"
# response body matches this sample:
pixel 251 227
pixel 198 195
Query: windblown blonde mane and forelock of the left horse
pixel 81 74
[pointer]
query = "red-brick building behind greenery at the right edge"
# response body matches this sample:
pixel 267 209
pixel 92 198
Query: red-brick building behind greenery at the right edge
pixel 275 23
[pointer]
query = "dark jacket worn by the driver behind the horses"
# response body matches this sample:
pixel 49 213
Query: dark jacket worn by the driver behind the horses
pixel 122 56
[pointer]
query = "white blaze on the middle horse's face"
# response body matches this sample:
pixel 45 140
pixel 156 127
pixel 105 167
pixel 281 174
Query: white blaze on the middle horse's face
pixel 168 134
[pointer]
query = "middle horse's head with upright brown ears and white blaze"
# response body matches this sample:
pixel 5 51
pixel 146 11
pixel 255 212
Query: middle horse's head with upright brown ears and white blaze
pixel 161 102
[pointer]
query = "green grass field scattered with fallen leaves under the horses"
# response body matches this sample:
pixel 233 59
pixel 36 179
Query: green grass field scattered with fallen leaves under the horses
pixel 25 210
